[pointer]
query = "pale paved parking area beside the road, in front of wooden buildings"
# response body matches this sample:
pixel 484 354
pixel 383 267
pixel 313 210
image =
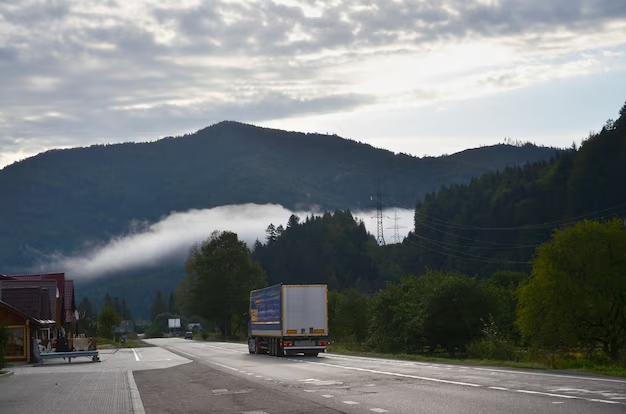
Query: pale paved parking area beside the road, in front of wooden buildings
pixel 83 386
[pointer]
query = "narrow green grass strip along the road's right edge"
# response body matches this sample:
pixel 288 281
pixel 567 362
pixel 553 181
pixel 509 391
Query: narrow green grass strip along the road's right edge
pixel 577 366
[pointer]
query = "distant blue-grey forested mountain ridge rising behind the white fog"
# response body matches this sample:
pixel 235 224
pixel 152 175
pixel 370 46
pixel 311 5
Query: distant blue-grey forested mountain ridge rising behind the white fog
pixel 60 200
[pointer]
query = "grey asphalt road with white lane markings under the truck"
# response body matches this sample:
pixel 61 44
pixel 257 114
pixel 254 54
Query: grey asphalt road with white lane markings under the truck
pixel 336 383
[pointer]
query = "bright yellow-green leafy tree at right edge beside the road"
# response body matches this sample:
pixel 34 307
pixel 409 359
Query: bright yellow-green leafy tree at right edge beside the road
pixel 577 292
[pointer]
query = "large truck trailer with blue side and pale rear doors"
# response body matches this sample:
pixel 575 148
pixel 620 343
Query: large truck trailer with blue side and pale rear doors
pixel 288 320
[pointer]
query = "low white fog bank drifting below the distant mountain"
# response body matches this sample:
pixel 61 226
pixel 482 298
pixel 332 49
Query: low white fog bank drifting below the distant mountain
pixel 172 237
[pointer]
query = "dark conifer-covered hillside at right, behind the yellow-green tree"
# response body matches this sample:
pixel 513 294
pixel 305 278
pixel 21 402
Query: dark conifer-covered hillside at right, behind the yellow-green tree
pixel 496 221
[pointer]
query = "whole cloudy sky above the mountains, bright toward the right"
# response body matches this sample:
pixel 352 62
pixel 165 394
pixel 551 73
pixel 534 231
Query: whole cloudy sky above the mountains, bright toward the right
pixel 417 76
